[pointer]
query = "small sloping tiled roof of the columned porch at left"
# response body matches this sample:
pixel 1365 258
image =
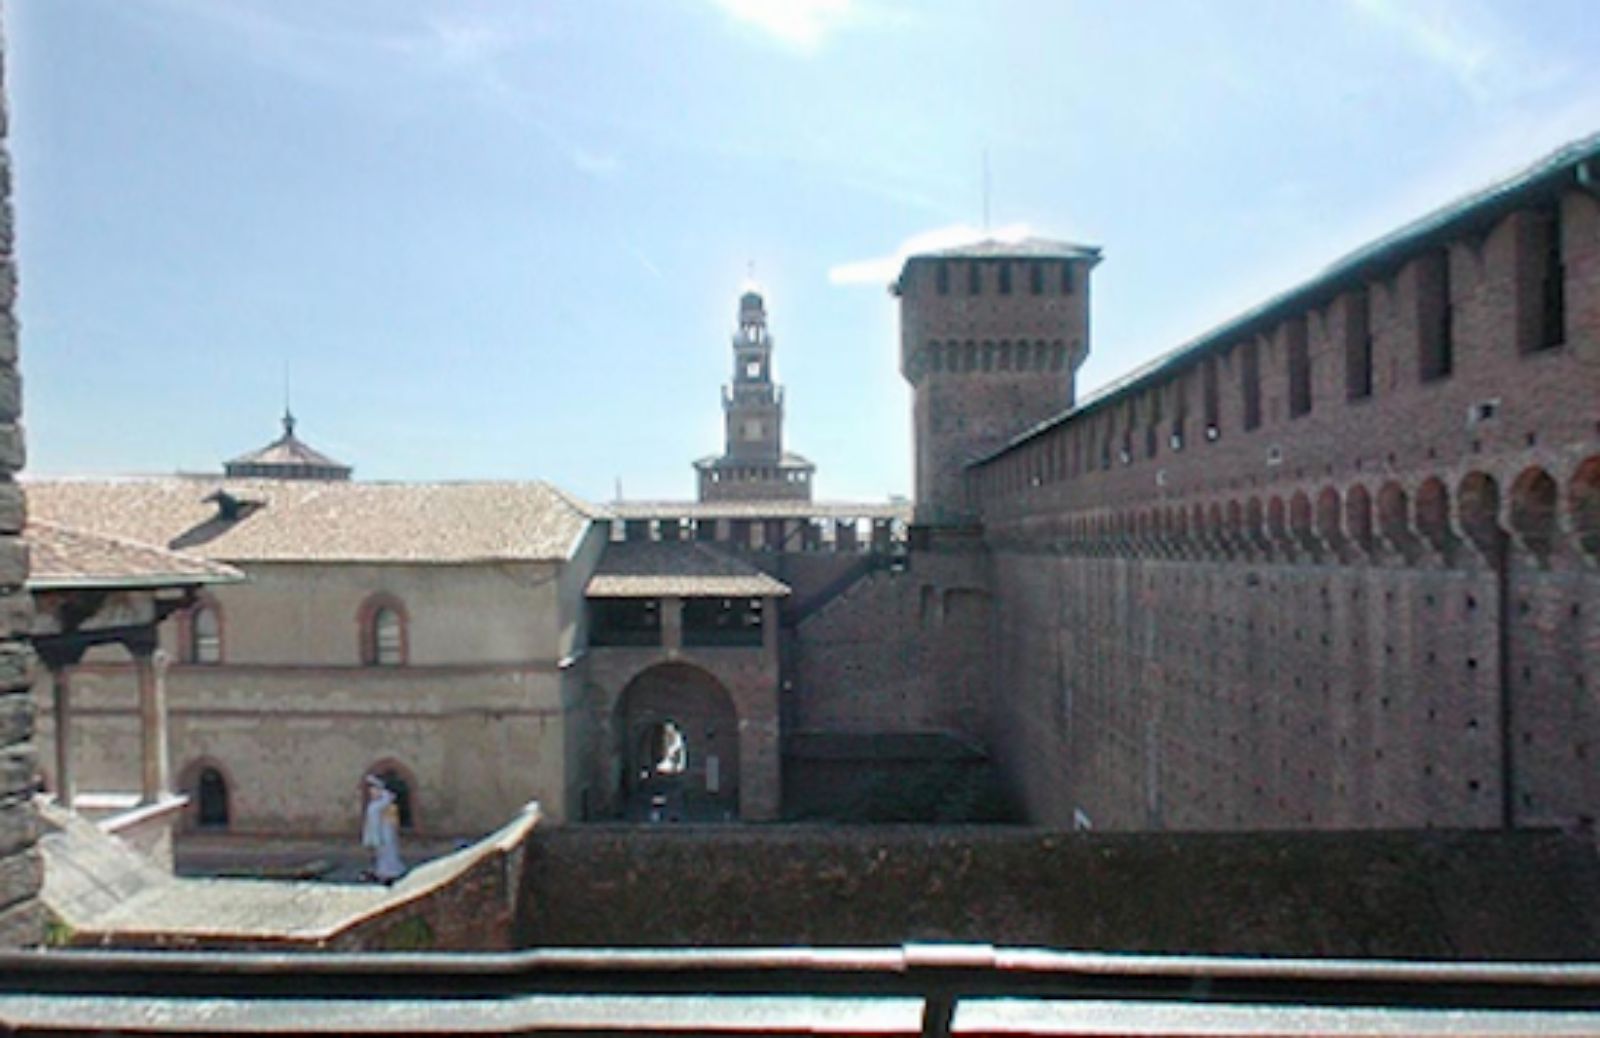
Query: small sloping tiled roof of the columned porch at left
pixel 62 557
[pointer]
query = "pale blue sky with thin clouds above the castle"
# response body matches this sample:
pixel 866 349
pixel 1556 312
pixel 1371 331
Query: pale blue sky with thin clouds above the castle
pixel 505 239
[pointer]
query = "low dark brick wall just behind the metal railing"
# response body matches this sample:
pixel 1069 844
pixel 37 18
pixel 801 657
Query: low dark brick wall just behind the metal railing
pixel 1452 896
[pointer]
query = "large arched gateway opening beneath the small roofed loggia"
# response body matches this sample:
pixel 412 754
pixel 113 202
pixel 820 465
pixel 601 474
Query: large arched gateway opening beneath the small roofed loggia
pixel 679 746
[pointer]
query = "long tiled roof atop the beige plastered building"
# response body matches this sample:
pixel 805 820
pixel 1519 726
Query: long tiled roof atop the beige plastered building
pixel 284 521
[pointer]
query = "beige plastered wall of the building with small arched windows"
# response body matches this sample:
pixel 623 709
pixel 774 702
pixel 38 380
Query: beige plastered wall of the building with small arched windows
pixel 481 719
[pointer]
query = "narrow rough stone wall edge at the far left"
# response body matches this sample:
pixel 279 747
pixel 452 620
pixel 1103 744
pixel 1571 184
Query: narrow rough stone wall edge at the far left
pixel 22 919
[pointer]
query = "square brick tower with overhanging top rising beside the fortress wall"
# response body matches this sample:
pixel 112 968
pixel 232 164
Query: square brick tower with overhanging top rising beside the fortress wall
pixel 991 341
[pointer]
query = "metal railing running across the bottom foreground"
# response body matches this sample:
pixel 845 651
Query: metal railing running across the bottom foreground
pixel 932 991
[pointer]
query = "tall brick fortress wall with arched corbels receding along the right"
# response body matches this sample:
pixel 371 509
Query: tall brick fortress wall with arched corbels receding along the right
pixel 1380 612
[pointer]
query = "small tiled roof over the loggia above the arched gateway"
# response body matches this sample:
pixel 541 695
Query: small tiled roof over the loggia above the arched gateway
pixel 655 569
